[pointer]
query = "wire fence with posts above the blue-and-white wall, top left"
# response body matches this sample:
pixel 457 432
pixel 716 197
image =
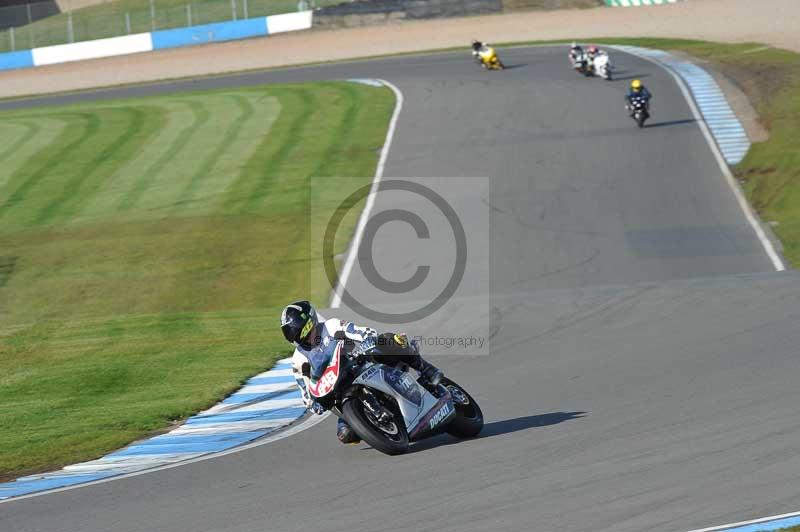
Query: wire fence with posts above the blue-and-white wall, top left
pixel 39 24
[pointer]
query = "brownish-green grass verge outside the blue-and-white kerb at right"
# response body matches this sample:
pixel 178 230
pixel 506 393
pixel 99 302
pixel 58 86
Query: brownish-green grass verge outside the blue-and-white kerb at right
pixel 770 173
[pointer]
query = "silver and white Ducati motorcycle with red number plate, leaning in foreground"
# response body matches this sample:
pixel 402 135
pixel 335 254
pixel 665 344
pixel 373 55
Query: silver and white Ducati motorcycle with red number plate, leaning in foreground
pixel 383 404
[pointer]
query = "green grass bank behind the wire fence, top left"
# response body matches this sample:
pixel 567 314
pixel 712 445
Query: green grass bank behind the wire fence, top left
pixel 109 19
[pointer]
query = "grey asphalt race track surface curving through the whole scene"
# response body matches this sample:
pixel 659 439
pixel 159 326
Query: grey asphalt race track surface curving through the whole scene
pixel 643 363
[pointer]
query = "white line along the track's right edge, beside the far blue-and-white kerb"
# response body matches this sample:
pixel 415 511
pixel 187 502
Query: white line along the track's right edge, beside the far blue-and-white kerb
pixel 766 243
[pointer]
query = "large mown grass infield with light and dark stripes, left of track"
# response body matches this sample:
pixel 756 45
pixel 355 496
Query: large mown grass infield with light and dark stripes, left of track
pixel 147 247
